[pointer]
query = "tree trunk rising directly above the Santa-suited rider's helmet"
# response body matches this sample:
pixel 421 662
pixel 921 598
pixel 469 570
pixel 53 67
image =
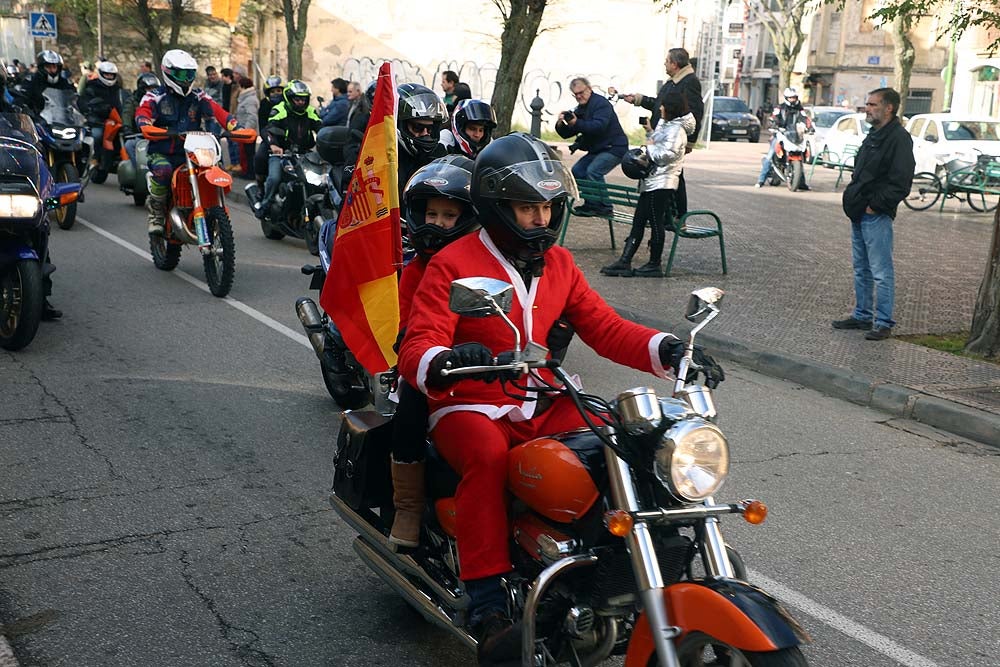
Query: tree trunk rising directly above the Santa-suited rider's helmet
pixel 520 27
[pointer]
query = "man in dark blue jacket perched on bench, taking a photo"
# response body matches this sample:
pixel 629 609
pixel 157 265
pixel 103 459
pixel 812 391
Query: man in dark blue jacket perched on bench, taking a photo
pixel 598 132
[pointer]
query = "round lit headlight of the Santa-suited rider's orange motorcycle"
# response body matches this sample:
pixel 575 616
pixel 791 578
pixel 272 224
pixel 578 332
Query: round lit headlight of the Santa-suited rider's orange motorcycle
pixel 692 460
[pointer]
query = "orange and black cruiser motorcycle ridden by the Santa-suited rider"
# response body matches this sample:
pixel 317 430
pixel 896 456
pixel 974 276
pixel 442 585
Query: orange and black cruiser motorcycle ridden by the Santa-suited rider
pixel 615 535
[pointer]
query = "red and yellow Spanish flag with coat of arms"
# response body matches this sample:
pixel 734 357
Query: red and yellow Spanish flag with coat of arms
pixel 360 293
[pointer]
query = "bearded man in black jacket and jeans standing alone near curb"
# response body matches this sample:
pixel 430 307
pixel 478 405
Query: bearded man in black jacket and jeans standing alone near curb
pixel 883 174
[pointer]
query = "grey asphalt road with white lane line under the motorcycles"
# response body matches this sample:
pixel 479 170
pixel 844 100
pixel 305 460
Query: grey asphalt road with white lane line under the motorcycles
pixel 166 460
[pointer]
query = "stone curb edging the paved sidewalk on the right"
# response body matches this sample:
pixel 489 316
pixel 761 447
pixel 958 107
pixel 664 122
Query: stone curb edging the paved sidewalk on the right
pixel 897 400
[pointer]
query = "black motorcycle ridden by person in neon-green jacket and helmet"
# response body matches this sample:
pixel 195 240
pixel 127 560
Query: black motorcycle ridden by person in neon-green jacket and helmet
pixel 303 194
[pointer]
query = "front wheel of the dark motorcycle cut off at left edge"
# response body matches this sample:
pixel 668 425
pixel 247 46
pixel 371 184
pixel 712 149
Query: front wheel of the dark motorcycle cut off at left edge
pixel 21 302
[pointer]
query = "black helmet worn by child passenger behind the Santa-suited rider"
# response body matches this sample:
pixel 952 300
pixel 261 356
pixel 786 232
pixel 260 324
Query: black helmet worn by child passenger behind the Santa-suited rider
pixel 448 177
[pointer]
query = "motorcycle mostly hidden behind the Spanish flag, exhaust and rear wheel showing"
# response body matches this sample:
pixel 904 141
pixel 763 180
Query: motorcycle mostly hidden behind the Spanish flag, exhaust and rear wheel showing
pixel 346 380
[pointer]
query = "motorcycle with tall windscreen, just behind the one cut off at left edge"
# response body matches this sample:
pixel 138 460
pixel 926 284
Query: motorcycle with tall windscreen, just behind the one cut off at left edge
pixel 65 143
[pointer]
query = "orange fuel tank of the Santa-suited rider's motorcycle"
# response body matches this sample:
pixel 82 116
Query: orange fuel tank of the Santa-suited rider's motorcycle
pixel 555 475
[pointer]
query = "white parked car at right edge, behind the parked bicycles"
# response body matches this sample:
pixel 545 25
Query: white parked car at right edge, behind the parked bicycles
pixel 940 138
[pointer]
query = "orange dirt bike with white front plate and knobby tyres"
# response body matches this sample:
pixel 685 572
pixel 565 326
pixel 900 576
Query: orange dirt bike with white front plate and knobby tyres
pixel 196 208
